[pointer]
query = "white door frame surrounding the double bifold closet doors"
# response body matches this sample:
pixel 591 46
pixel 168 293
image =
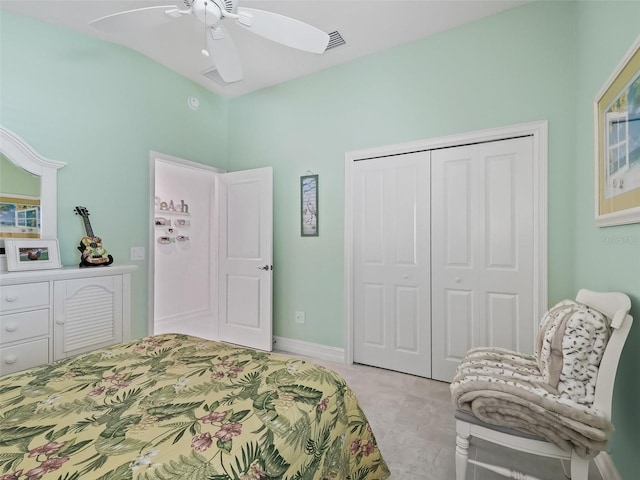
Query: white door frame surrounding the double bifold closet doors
pixel 539 132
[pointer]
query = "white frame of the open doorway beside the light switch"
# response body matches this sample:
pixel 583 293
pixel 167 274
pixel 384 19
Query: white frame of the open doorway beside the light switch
pixel 178 162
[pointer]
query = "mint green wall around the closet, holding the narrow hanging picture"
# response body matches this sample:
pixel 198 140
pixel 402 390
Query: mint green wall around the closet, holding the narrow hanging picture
pixel 510 68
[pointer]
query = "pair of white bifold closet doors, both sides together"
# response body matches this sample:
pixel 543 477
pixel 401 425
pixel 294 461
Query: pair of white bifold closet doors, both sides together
pixel 443 255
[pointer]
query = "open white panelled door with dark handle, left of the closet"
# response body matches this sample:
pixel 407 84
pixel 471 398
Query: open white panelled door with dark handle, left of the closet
pixel 245 253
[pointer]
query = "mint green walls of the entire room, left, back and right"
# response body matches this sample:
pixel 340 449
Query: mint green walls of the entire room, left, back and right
pixel 101 108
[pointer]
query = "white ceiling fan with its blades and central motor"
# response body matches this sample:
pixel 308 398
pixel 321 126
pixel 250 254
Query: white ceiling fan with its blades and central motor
pixel 212 13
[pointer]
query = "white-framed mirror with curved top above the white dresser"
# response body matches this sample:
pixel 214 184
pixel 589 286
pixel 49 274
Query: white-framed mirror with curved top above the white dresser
pixel 28 191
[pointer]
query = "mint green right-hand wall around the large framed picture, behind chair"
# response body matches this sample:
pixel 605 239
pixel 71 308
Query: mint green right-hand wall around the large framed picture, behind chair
pixel 607 258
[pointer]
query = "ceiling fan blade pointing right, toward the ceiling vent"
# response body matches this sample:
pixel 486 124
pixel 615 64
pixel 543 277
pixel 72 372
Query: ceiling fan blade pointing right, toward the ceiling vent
pixel 285 30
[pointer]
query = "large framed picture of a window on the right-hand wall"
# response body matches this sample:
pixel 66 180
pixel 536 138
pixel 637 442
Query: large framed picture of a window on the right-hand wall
pixel 617 145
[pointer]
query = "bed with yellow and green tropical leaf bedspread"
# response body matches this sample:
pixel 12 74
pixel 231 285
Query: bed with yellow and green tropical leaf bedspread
pixel 179 407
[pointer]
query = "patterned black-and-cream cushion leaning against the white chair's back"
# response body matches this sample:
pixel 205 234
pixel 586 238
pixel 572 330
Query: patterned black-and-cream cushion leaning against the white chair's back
pixel 570 343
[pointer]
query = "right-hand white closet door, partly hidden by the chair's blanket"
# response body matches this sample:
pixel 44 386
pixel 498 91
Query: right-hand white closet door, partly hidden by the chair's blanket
pixel 482 244
